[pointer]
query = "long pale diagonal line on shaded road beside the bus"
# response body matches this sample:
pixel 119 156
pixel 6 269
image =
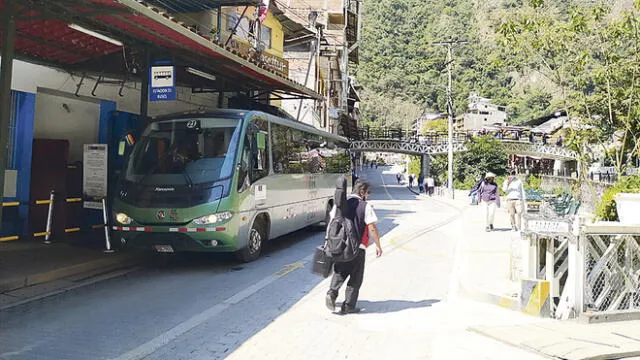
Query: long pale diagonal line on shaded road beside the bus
pixel 172 334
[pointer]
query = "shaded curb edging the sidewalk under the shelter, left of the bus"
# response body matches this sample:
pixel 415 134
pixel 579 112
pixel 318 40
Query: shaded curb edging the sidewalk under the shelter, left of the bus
pixel 111 263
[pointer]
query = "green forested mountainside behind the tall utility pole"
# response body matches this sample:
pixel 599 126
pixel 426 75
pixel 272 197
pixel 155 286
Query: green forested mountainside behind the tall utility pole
pixel 402 72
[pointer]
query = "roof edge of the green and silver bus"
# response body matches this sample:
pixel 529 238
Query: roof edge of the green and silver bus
pixel 240 114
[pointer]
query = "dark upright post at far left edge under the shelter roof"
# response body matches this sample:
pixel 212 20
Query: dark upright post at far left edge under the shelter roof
pixel 6 72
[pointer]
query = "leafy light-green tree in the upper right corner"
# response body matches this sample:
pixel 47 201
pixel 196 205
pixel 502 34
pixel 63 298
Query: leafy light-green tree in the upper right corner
pixel 593 57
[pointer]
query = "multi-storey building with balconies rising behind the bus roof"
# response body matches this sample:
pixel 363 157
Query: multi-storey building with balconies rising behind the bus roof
pixel 321 60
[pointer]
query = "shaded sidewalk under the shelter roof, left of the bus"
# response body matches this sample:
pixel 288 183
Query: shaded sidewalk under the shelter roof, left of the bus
pixel 31 270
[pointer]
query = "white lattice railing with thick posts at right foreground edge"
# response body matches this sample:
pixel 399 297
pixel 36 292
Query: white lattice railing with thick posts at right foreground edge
pixel 592 269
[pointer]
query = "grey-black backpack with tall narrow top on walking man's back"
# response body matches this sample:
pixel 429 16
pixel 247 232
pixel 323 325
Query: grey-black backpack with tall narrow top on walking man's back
pixel 342 241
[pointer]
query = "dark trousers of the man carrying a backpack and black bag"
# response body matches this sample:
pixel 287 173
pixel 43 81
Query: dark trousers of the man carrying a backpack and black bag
pixel 353 269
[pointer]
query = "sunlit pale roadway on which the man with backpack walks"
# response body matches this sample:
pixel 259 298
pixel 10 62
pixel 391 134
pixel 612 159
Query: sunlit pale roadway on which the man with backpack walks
pixel 407 313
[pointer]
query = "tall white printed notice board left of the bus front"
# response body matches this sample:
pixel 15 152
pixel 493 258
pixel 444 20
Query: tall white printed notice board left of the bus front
pixel 95 171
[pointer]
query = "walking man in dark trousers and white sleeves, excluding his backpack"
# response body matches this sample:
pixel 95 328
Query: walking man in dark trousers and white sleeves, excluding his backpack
pixel 364 218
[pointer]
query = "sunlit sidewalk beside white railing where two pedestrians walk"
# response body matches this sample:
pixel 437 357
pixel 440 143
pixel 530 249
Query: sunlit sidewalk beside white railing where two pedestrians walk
pixel 485 269
